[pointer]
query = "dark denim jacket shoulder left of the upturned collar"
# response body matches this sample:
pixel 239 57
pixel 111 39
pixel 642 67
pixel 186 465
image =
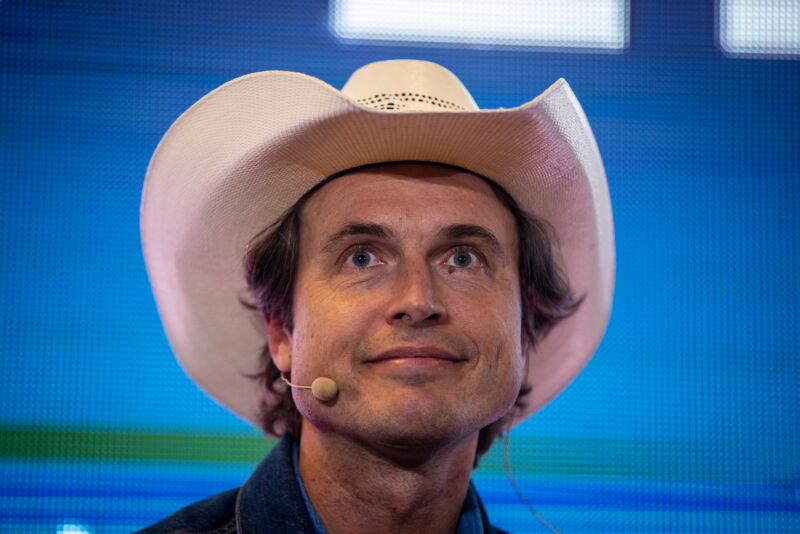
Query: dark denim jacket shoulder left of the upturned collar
pixel 215 514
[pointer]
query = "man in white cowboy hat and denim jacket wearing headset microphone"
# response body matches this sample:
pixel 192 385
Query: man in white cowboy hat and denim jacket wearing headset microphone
pixel 422 275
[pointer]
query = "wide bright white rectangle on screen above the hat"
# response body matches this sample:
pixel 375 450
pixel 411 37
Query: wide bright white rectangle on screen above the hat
pixel 537 23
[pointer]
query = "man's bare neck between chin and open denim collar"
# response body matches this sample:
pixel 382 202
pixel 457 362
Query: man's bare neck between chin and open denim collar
pixel 354 488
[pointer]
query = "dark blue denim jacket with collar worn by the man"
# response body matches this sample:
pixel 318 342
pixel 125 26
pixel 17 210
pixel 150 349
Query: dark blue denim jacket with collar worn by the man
pixel 270 501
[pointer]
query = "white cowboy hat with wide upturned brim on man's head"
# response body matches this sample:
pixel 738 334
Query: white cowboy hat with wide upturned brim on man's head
pixel 244 153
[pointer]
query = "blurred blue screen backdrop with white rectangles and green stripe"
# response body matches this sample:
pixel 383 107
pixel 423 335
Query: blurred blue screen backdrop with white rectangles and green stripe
pixel 687 418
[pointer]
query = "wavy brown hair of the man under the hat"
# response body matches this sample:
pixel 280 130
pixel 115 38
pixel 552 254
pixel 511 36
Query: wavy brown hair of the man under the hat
pixel 270 266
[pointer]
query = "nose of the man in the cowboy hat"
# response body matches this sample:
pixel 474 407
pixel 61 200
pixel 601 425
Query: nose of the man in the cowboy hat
pixel 416 300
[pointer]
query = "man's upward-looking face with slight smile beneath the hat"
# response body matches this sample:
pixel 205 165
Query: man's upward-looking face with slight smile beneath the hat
pixel 407 295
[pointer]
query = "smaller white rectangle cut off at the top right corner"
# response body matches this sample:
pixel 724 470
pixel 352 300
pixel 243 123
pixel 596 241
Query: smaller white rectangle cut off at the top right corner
pixel 761 27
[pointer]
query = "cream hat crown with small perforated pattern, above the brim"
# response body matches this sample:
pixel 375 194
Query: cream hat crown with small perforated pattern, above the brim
pixel 408 85
